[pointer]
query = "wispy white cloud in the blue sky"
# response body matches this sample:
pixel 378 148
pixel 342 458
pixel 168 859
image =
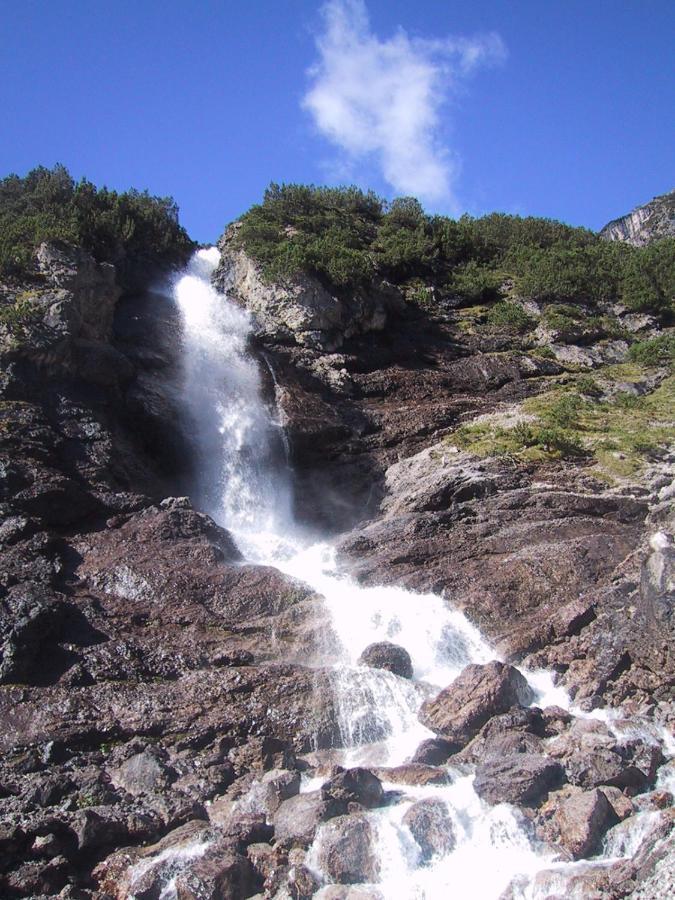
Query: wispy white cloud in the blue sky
pixel 382 99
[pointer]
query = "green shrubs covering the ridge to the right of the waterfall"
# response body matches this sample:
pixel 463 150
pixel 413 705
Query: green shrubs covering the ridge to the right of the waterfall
pixel 348 238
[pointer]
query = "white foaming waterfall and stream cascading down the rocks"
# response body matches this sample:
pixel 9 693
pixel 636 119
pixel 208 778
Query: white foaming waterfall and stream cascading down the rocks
pixel 243 484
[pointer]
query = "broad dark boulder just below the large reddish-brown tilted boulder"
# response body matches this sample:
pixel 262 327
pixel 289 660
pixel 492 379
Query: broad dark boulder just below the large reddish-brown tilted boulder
pixel 520 778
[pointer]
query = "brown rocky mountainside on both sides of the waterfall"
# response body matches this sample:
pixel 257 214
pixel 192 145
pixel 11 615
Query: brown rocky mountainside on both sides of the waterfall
pixel 157 694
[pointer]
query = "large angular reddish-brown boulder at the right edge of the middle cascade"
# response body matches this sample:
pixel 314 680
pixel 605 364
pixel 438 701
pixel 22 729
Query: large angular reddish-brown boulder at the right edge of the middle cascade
pixel 479 693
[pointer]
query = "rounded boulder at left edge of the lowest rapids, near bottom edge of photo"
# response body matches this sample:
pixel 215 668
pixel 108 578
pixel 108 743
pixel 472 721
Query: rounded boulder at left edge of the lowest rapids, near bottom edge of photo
pixel 346 850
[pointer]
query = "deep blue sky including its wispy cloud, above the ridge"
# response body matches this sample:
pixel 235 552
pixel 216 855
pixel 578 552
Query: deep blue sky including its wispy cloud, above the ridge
pixel 561 108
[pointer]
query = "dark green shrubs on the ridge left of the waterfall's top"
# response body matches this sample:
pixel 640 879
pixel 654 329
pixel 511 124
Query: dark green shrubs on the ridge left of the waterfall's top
pixel 129 229
